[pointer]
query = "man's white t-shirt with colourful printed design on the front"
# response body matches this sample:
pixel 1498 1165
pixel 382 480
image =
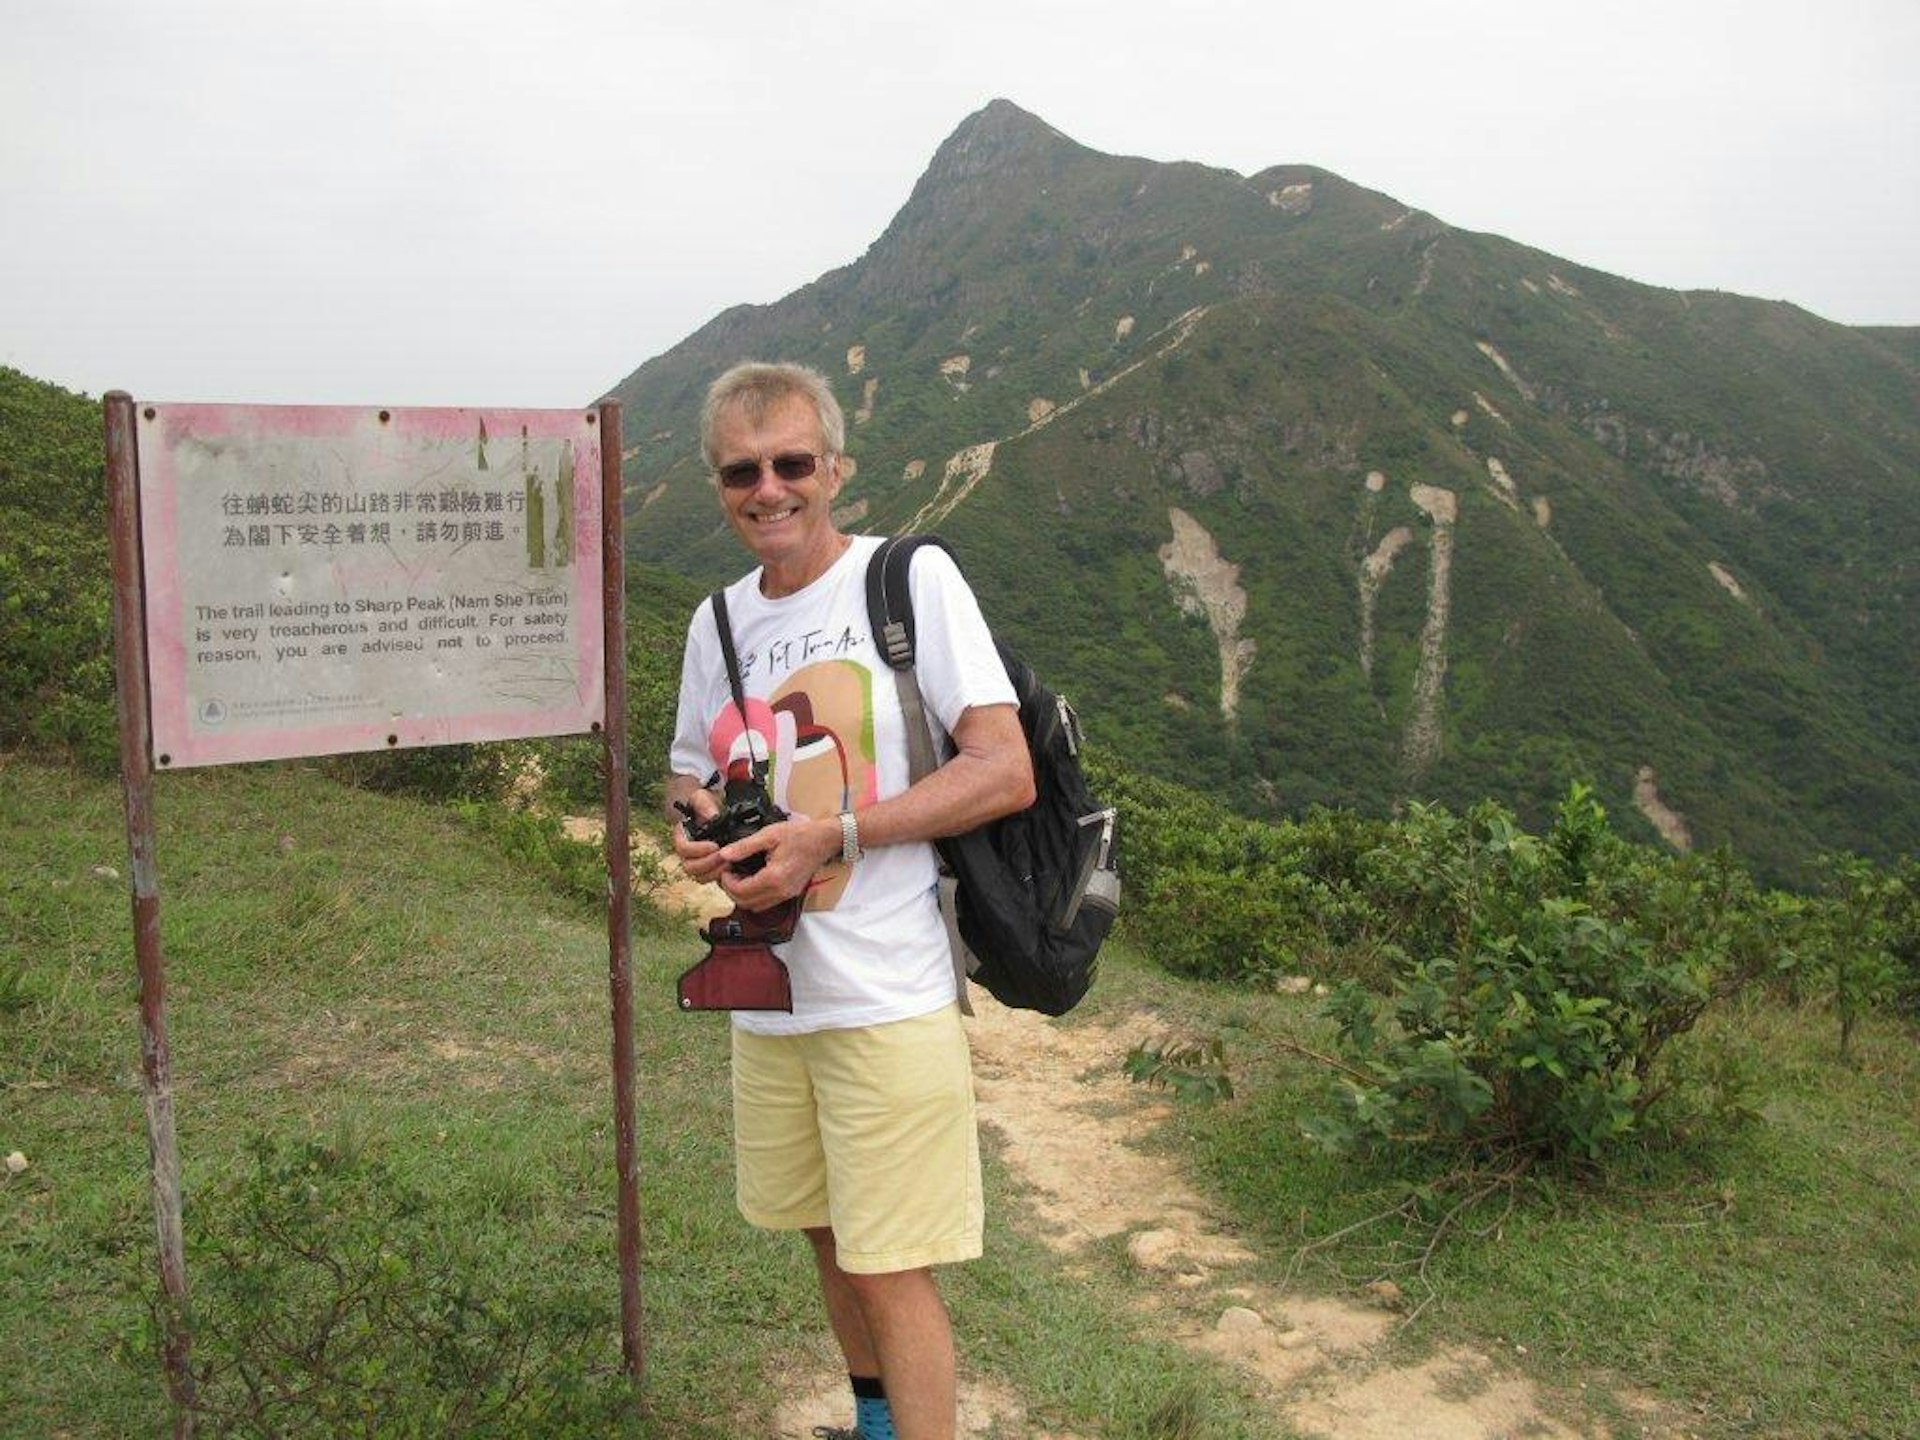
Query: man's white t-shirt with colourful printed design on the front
pixel 871 946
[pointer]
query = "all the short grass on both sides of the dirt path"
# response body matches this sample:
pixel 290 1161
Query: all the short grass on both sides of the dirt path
pixel 375 974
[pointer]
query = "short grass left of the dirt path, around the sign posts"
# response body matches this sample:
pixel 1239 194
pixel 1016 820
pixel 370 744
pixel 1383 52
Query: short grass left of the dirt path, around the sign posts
pixel 373 974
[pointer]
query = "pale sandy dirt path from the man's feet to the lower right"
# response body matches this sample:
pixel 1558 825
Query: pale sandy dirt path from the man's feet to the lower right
pixel 1070 1128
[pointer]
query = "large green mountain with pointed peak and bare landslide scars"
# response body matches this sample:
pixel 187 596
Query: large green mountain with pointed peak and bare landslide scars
pixel 1675 554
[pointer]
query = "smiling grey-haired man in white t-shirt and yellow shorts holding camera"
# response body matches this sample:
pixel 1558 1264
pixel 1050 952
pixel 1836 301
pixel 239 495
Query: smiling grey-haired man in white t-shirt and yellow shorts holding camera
pixel 853 1116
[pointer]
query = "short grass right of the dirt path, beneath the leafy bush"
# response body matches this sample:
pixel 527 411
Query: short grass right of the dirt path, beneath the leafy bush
pixel 1762 1280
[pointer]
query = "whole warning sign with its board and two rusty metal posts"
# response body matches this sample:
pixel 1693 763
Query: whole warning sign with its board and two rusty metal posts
pixel 314 581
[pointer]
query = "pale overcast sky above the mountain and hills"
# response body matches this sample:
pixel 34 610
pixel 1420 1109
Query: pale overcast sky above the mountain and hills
pixel 491 203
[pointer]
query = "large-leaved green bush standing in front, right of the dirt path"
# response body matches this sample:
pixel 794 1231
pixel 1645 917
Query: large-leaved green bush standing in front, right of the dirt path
pixel 1535 988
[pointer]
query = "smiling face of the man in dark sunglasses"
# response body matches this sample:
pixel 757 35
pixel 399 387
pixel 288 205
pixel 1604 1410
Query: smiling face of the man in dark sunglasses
pixel 788 525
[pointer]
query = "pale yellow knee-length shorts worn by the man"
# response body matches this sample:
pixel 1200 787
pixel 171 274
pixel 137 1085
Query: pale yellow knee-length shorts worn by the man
pixel 871 1132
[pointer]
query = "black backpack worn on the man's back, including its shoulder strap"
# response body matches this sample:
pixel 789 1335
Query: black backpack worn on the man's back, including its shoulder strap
pixel 1036 892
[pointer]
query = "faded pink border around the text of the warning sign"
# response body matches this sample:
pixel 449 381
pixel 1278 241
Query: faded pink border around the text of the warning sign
pixel 162 427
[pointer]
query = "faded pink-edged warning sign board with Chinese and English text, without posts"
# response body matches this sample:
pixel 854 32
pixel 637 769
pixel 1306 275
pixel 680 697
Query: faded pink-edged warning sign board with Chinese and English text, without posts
pixel 335 579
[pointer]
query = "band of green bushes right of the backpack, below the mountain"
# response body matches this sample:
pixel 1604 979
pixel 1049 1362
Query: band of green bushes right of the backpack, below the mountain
pixel 1500 992
